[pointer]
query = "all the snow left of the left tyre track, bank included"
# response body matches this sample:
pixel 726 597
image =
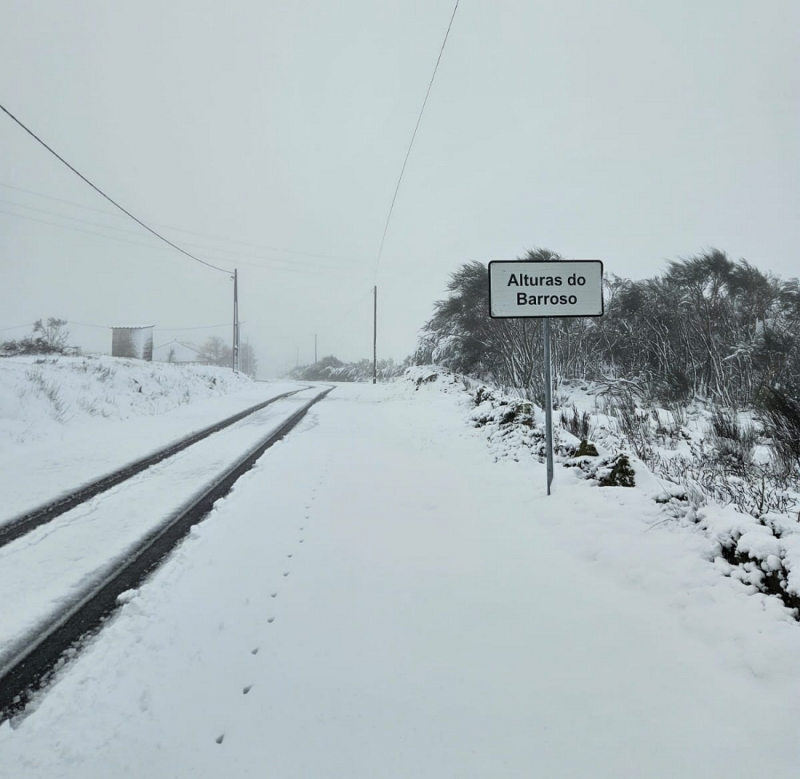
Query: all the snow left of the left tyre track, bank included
pixel 66 420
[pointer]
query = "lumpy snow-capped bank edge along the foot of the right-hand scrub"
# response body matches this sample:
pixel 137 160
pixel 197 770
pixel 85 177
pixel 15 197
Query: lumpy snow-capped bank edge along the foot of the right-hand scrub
pixel 761 553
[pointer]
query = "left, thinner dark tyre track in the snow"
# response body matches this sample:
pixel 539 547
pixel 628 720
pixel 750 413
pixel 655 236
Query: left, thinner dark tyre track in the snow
pixel 41 515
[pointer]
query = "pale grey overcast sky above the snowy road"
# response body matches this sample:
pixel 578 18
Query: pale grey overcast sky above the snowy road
pixel 269 136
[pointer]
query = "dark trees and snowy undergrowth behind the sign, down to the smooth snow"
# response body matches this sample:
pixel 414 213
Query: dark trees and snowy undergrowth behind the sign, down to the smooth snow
pixel 693 374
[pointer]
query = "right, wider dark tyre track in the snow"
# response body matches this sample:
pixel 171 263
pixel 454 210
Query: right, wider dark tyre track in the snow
pixel 36 667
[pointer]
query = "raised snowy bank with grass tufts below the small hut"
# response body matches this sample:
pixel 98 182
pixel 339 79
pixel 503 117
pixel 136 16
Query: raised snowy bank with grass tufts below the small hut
pixel 41 394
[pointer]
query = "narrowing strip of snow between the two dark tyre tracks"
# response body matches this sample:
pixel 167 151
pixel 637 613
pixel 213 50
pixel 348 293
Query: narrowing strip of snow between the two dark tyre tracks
pixel 62 562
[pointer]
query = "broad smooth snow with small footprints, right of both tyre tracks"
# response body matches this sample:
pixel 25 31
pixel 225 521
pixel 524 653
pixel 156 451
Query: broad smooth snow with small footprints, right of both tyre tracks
pixel 385 595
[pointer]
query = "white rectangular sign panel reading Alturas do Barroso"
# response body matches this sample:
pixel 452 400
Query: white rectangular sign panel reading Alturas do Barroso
pixel 544 289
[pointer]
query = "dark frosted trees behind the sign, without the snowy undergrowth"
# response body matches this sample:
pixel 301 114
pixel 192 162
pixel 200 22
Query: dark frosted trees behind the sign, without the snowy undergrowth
pixel 707 327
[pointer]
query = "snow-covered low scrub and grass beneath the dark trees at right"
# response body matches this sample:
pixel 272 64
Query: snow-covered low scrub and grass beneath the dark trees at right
pixel 680 458
